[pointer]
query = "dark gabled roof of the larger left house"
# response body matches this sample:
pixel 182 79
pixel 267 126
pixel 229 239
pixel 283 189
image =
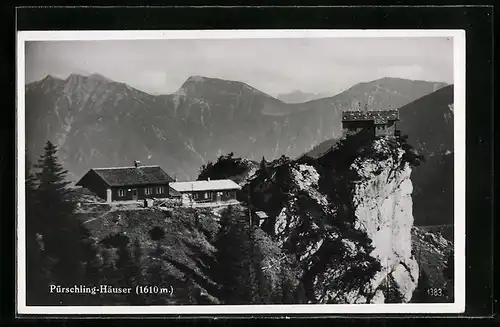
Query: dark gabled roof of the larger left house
pixel 128 176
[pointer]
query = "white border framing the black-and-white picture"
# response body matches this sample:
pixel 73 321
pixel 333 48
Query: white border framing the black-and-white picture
pixel 459 187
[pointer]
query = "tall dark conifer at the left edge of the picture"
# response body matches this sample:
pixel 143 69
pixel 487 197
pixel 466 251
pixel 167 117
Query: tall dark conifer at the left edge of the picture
pixel 63 235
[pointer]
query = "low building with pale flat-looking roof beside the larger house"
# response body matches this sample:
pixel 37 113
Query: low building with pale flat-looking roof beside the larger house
pixel 207 192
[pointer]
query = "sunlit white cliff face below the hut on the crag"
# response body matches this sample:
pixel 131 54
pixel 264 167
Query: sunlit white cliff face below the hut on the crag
pixel 383 208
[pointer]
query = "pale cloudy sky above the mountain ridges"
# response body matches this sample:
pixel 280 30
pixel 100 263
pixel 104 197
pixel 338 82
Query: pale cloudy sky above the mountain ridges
pixel 274 66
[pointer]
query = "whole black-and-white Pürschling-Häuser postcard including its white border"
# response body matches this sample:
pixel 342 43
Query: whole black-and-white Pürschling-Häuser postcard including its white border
pixel 241 171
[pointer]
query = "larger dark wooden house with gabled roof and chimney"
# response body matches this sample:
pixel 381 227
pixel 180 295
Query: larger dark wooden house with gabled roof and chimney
pixel 127 183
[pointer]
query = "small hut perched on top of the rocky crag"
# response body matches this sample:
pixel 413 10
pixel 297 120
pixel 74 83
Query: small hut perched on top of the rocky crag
pixel 380 122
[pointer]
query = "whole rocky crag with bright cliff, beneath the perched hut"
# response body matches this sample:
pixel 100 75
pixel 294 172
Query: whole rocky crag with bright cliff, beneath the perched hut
pixel 347 218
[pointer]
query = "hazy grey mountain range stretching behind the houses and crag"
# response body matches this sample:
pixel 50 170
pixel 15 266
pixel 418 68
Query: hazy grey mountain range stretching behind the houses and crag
pixel 99 122
